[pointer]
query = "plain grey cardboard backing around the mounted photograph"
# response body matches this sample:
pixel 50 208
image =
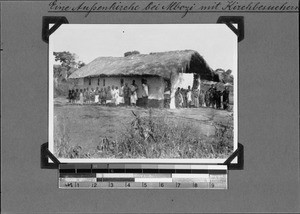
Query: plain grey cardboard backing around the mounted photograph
pixel 268 121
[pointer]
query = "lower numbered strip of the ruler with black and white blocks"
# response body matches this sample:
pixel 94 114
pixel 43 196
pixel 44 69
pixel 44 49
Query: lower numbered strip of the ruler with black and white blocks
pixel 145 180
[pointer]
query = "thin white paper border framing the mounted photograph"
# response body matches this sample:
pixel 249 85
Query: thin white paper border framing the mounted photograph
pixel 137 161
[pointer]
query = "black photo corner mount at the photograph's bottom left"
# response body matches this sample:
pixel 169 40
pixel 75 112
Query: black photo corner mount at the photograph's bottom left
pixel 45 155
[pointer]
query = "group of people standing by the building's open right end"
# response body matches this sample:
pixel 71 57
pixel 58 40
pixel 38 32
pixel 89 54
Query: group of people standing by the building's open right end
pixel 188 98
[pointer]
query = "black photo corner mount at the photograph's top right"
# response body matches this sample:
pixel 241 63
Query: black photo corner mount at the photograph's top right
pixel 230 20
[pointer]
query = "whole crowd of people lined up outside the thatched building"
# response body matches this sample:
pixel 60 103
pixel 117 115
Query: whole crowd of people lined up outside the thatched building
pixel 127 96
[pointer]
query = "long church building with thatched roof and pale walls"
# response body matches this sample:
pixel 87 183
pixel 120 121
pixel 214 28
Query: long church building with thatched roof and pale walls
pixel 164 71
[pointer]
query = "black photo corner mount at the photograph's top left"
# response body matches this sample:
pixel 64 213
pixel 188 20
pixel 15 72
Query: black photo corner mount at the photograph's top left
pixel 56 20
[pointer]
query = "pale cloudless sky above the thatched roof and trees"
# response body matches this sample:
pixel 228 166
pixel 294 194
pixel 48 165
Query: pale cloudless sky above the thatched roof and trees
pixel 215 42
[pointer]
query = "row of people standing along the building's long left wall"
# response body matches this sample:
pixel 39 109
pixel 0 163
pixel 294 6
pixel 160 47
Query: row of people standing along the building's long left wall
pixel 114 95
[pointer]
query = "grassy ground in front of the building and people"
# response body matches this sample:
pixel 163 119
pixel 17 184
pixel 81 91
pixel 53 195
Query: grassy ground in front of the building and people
pixel 93 131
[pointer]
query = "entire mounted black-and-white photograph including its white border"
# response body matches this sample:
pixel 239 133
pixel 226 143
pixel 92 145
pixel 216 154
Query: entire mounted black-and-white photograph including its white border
pixel 143 93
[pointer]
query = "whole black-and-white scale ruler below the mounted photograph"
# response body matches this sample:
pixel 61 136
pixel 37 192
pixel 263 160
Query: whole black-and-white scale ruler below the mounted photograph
pixel 201 177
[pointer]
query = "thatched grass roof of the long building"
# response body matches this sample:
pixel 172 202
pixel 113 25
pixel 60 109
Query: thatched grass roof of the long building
pixel 159 64
